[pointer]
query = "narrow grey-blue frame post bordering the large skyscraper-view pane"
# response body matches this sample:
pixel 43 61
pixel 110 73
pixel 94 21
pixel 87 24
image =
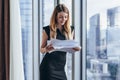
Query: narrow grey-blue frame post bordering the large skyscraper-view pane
pixel 83 38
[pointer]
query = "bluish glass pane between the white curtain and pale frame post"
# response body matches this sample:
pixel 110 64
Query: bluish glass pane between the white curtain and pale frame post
pixel 26 24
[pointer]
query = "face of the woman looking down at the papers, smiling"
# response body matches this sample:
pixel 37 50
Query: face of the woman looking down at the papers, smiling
pixel 62 18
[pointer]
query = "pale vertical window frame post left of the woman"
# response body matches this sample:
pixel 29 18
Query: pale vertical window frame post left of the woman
pixel 35 38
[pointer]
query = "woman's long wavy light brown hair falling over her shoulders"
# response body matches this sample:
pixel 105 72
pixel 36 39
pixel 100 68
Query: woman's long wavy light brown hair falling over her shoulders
pixel 53 22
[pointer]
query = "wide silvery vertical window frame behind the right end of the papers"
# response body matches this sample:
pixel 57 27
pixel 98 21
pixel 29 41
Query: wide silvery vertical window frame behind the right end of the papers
pixel 77 57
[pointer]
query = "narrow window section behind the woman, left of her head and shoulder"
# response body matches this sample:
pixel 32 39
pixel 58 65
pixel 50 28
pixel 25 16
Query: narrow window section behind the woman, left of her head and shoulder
pixel 44 17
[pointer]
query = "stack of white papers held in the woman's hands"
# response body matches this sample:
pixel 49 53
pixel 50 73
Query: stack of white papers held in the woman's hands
pixel 64 45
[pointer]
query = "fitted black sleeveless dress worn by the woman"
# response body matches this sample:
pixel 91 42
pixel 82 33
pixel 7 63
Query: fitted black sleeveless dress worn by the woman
pixel 52 65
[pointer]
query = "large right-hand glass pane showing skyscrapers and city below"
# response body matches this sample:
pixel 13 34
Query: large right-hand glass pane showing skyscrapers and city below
pixel 103 47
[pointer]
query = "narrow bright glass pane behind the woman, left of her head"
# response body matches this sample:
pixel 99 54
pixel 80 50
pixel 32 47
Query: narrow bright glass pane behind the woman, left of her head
pixel 47 8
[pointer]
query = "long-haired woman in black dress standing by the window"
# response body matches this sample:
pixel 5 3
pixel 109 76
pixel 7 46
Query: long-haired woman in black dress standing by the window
pixel 52 66
